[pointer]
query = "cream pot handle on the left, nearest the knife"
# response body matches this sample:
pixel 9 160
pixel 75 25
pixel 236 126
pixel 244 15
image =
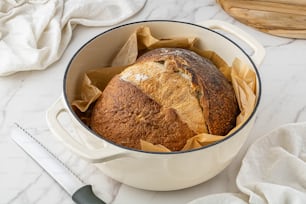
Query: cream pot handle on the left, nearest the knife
pixel 93 155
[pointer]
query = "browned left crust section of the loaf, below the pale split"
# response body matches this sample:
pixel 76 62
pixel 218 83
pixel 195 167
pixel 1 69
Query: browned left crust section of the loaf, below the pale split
pixel 125 115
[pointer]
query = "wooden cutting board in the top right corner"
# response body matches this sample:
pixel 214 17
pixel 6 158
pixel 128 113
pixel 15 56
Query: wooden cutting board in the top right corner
pixel 285 18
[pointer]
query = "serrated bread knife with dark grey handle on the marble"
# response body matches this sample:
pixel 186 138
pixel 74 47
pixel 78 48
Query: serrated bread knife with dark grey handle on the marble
pixel 69 181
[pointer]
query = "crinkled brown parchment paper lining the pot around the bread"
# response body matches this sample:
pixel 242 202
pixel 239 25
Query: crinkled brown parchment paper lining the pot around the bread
pixel 242 77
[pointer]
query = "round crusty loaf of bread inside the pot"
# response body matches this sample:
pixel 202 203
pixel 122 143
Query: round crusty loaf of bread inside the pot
pixel 168 96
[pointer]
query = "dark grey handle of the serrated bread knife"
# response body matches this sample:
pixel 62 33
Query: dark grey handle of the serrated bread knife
pixel 85 195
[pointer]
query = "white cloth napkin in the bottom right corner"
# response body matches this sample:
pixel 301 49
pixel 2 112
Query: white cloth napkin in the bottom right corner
pixel 272 172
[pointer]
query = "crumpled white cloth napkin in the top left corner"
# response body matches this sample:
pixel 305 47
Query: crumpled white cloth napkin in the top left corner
pixel 35 33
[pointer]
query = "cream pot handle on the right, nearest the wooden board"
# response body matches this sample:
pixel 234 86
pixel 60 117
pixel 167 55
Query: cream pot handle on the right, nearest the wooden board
pixel 259 51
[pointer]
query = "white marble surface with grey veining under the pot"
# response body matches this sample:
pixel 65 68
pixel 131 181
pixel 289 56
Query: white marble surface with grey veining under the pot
pixel 25 97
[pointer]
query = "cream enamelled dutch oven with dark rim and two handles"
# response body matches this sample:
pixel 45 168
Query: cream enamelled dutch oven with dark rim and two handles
pixel 146 170
